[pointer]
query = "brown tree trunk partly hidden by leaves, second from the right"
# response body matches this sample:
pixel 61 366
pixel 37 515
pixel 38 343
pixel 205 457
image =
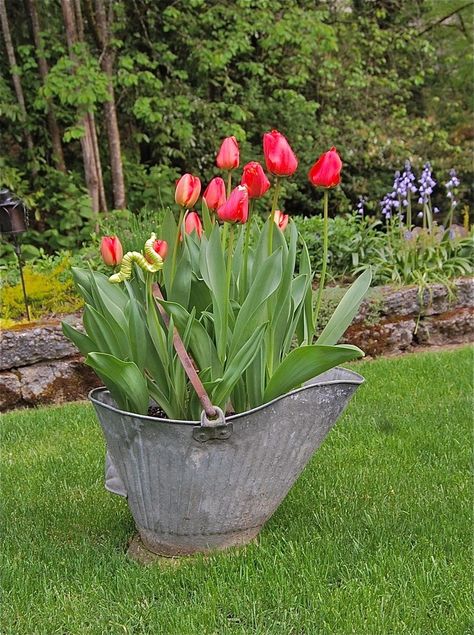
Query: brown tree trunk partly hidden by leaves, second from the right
pixel 92 167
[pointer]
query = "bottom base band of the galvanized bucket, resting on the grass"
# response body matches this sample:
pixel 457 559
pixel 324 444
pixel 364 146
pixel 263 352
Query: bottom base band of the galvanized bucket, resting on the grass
pixel 171 545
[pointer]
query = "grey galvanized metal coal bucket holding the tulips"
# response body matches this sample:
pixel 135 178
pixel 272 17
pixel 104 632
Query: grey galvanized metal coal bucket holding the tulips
pixel 197 488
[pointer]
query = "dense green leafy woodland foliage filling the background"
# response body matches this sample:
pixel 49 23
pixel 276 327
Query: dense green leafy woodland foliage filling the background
pixel 383 80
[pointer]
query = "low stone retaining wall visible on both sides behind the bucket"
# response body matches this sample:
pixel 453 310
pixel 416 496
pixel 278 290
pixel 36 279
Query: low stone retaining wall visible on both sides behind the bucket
pixel 38 365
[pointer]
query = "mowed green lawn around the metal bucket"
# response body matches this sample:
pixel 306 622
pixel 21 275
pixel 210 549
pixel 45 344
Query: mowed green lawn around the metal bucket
pixel 374 539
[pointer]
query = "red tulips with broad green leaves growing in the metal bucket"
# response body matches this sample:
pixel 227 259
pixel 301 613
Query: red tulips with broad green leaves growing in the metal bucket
pixel 239 295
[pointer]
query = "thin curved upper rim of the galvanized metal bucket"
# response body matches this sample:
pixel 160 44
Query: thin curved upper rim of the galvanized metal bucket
pixel 352 378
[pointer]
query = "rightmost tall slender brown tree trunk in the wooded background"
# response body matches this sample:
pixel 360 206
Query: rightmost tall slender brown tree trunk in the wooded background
pixel 113 133
